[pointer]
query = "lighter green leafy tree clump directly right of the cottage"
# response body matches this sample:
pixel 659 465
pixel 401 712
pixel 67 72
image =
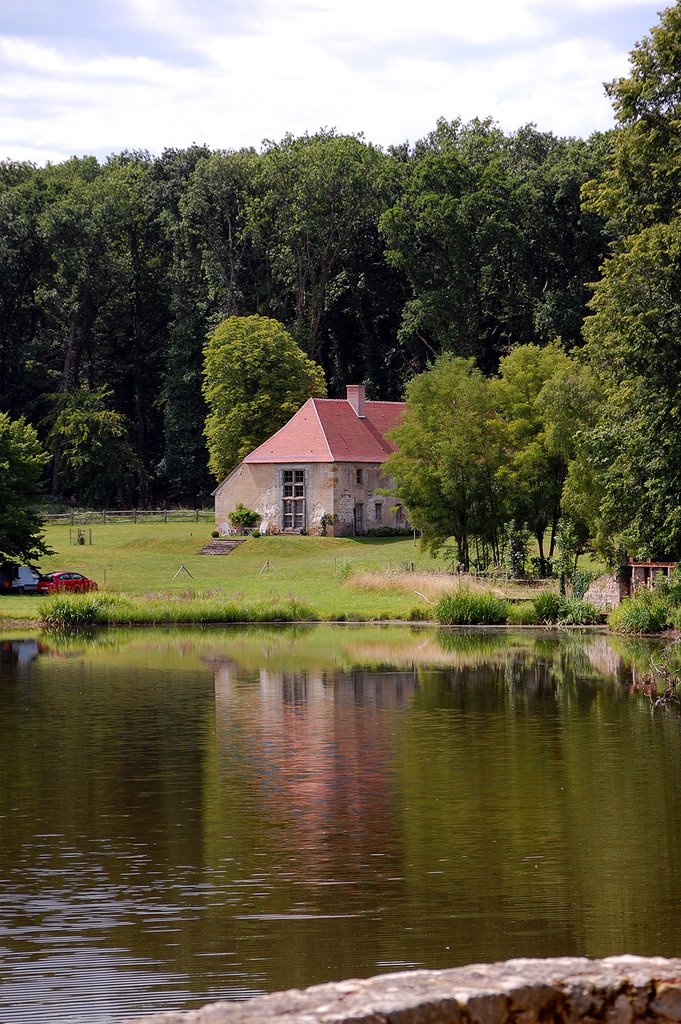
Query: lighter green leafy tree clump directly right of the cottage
pixel 477 454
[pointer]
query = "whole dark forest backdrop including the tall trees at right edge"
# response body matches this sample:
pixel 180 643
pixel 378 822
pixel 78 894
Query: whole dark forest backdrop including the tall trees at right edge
pixel 469 244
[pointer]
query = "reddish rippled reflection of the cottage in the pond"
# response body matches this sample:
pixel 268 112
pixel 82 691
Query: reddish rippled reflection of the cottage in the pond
pixel 318 746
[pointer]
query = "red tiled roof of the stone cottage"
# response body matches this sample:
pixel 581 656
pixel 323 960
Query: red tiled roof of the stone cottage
pixel 330 431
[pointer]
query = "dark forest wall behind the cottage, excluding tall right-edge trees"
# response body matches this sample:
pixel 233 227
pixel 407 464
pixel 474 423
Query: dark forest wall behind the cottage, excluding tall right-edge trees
pixel 470 242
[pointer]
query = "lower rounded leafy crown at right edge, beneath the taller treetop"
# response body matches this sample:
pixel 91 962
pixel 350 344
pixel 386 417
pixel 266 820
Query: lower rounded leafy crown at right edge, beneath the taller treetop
pixel 626 481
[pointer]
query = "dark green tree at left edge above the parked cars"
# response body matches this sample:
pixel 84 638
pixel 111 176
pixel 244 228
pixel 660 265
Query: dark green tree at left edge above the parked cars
pixel 22 463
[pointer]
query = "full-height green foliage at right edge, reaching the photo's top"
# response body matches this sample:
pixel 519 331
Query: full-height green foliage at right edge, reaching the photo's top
pixel 626 481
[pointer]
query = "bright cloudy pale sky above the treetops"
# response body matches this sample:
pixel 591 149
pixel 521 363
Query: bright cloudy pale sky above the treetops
pixel 84 77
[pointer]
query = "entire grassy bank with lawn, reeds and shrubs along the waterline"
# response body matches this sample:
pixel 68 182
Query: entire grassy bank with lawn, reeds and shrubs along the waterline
pixel 153 575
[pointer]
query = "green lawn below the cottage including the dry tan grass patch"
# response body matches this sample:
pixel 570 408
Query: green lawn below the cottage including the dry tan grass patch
pixel 158 566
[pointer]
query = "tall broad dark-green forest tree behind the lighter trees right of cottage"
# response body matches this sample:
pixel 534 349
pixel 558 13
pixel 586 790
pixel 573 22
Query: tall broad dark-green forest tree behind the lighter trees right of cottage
pixel 489 234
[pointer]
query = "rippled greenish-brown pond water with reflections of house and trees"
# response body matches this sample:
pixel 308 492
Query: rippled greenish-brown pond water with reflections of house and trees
pixel 197 816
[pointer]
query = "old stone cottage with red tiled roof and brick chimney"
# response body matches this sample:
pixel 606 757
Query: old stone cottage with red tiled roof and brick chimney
pixel 323 470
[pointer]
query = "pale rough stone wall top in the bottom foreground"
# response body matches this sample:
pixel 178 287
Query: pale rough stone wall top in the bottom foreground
pixel 616 991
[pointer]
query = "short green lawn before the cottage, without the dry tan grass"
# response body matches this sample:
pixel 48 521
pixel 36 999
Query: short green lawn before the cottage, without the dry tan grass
pixel 145 560
